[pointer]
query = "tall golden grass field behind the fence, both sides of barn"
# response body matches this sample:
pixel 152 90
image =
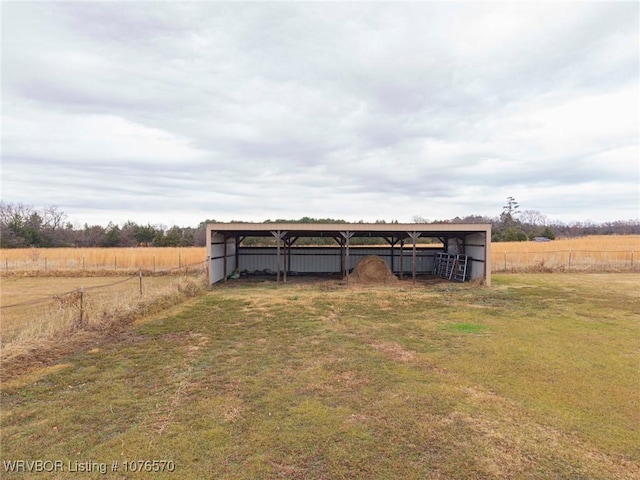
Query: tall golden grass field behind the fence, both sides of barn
pixel 593 253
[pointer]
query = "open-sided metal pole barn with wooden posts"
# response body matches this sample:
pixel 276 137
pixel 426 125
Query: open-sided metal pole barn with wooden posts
pixel 464 252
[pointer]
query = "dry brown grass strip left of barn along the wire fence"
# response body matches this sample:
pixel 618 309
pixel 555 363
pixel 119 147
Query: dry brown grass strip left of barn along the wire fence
pixel 45 317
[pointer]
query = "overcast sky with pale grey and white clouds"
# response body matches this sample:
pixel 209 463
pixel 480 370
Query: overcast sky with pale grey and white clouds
pixel 173 113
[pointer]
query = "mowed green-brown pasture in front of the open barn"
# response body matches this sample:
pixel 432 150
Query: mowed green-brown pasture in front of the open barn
pixel 536 377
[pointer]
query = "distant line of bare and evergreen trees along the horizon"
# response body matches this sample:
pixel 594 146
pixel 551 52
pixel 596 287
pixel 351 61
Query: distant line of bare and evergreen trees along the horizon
pixel 24 226
